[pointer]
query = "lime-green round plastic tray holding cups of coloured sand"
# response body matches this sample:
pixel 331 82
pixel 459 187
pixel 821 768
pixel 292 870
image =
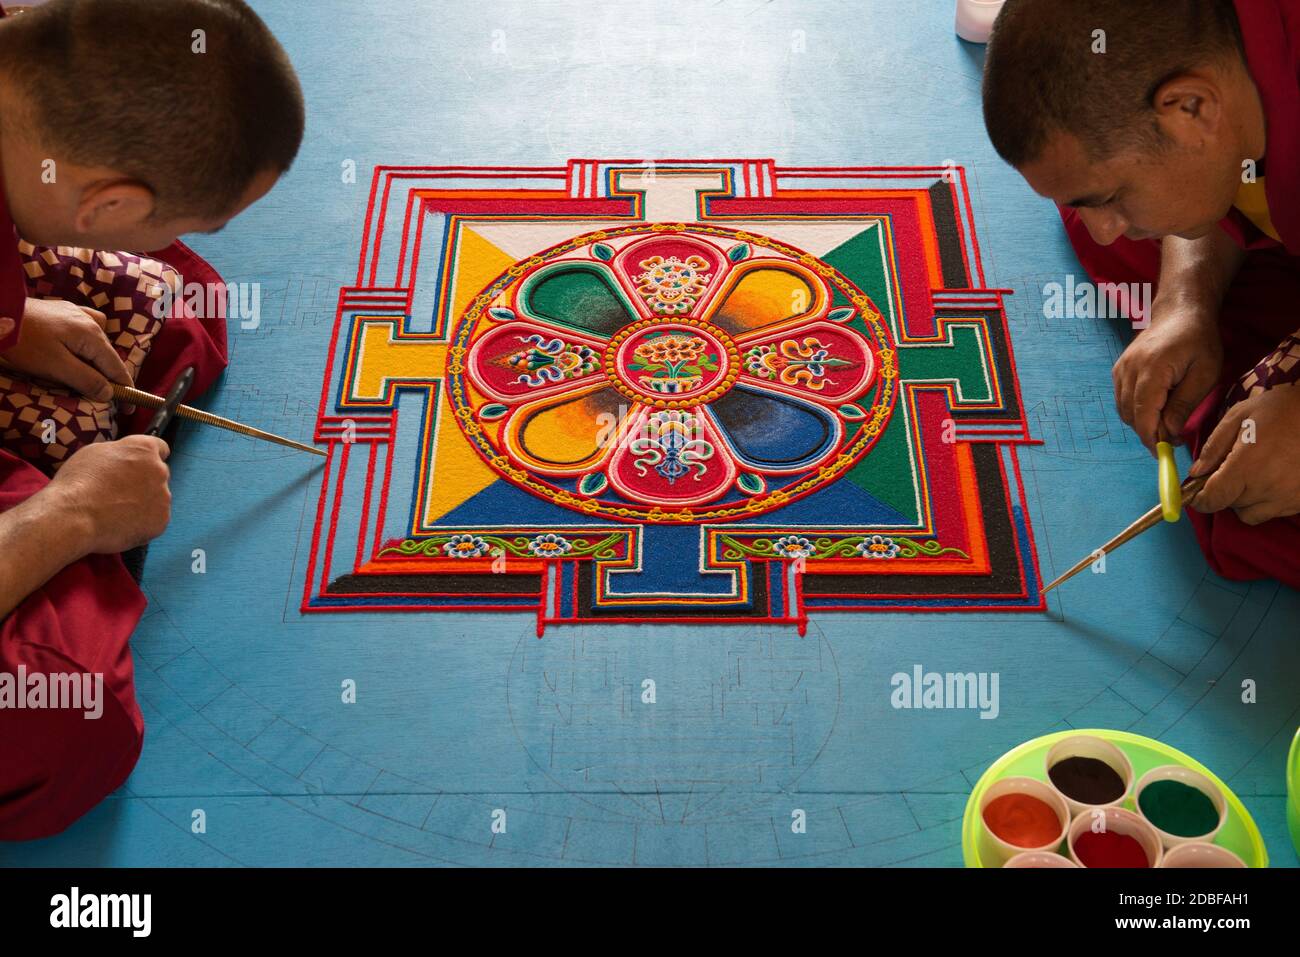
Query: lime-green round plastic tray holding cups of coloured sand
pixel 1238 835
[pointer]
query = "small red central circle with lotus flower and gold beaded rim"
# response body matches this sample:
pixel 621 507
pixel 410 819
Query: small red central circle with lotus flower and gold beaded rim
pixel 673 365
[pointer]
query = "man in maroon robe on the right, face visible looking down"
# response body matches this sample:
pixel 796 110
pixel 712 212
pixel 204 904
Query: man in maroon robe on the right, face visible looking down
pixel 1168 132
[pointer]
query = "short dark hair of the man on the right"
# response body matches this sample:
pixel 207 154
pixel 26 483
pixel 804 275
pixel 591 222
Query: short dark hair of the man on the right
pixel 1045 75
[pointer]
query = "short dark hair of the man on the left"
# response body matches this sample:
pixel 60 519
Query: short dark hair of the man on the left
pixel 135 86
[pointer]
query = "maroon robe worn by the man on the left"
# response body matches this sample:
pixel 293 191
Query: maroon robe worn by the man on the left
pixel 55 765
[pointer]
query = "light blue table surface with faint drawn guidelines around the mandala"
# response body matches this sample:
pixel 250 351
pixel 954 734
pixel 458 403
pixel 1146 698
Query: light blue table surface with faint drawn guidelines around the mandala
pixel 462 716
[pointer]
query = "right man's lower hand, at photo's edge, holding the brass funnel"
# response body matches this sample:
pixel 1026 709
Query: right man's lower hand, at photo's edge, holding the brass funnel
pixel 1255 458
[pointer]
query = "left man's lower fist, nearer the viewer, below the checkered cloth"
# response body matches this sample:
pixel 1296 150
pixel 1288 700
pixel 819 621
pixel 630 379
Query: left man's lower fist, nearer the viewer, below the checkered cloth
pixel 115 493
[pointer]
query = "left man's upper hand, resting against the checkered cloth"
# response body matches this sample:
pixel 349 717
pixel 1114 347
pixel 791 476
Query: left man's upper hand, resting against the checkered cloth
pixel 67 344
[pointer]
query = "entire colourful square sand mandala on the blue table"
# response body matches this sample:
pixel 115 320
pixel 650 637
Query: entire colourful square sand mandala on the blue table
pixel 717 392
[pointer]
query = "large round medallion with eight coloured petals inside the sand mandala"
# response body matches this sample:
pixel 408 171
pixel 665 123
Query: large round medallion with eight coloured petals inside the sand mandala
pixel 671 374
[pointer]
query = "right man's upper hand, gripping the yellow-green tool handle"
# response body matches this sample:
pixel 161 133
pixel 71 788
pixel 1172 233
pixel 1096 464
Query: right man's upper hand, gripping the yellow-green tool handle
pixel 1168 370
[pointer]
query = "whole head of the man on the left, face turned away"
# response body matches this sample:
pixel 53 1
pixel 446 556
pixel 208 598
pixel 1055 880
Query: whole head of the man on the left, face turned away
pixel 125 124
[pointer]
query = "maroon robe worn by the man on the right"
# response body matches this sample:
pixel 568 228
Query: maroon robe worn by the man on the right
pixel 1262 306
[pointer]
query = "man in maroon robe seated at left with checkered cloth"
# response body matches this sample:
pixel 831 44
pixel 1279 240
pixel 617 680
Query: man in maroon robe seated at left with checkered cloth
pixel 116 135
